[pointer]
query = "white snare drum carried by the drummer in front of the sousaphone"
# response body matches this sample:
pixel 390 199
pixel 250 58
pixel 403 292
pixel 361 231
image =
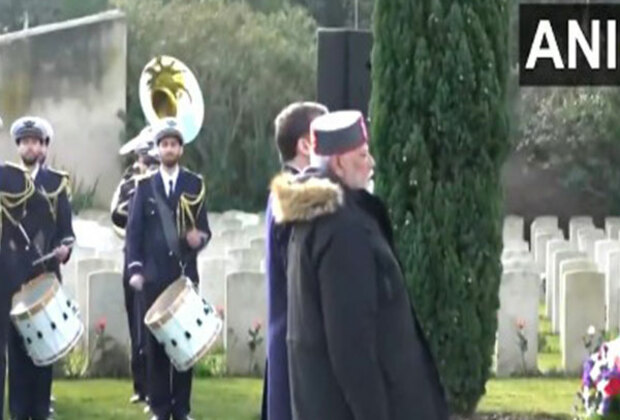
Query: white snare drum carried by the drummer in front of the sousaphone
pixel 184 323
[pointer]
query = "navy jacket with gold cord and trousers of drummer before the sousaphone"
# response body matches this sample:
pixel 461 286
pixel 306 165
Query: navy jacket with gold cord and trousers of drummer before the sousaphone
pixel 150 255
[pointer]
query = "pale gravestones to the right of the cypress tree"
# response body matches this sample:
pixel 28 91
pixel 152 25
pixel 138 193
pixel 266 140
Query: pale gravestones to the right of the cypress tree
pixel 580 279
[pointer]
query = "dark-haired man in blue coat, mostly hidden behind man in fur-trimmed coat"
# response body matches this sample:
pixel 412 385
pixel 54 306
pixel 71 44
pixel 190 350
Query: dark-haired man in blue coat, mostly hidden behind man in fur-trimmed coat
pixel 292 128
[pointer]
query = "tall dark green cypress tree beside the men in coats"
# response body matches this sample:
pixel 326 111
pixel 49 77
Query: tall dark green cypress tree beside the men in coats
pixel 440 137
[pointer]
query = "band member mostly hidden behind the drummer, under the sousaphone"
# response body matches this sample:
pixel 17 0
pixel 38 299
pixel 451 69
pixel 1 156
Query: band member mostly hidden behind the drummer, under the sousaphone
pixel 147 158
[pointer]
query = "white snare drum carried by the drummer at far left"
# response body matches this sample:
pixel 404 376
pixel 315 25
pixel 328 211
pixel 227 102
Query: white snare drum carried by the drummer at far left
pixel 47 319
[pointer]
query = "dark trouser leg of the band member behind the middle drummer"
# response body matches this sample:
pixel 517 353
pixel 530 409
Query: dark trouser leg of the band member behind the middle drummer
pixel 134 305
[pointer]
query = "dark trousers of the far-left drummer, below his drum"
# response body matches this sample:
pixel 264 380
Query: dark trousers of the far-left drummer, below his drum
pixel 30 386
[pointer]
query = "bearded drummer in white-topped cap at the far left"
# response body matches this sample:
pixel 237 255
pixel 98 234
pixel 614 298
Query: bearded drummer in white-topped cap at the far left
pixel 43 226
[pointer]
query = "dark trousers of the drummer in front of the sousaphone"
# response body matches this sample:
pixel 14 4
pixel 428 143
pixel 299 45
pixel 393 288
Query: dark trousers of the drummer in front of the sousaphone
pixel 169 391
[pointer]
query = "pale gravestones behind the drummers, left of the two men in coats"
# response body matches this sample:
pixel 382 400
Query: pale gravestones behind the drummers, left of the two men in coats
pixel 232 278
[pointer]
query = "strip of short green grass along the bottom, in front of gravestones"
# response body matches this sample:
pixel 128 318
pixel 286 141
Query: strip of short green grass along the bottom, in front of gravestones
pixel 239 399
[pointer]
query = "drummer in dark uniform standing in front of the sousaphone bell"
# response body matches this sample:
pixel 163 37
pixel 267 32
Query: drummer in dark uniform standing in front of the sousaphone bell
pixel 167 228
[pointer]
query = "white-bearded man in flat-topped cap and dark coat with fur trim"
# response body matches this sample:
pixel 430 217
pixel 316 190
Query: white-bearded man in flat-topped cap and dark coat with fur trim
pixel 355 350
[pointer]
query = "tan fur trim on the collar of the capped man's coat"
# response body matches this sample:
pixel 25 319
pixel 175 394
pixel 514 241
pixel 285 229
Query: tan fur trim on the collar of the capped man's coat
pixel 303 198
